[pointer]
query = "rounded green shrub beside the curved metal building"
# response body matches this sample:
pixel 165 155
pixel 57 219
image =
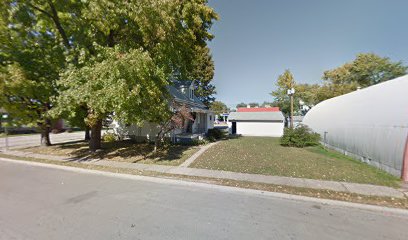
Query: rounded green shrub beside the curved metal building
pixel 300 137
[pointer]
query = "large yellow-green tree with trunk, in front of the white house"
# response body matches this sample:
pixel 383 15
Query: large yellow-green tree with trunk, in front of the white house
pixel 170 35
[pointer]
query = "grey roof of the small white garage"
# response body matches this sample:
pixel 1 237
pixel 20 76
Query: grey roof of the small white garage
pixel 256 116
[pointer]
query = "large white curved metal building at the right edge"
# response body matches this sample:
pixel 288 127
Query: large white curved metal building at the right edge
pixel 370 124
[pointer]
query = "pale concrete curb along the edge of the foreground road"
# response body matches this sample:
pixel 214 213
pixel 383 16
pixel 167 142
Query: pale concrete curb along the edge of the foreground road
pixel 284 196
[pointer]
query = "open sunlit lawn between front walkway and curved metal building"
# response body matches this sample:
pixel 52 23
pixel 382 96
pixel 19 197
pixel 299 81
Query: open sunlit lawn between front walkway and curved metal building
pixel 263 155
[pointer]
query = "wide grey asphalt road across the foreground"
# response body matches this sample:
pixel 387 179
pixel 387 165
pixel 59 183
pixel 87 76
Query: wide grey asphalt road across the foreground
pixel 43 203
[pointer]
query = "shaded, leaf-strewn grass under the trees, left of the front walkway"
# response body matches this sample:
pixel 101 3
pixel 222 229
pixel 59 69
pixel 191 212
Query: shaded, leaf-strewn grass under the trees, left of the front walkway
pixel 121 151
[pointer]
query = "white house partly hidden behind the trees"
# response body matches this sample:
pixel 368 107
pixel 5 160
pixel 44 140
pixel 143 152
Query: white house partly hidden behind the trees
pixel 182 93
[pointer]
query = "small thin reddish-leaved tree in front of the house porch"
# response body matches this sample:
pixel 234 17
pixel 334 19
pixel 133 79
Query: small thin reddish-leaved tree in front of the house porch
pixel 170 121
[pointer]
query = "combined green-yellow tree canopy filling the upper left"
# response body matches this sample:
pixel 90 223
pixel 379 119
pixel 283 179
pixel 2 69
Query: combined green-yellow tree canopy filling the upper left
pixel 81 38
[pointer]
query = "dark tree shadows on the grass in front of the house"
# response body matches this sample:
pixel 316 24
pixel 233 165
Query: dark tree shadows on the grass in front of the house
pixel 127 150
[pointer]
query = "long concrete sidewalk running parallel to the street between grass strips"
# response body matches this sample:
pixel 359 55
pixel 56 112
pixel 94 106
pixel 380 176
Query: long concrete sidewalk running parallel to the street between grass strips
pixel 364 189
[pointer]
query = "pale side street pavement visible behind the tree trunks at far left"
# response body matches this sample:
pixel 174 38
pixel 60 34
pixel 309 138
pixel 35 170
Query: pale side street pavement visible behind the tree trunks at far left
pixel 31 140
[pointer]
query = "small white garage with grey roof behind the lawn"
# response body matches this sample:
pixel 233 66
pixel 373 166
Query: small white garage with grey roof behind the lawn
pixel 268 124
